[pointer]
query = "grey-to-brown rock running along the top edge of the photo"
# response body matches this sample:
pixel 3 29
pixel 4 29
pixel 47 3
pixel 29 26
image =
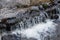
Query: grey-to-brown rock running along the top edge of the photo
pixel 20 3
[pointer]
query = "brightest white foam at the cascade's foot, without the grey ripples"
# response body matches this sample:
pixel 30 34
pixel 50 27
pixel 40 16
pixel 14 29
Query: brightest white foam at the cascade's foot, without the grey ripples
pixel 35 31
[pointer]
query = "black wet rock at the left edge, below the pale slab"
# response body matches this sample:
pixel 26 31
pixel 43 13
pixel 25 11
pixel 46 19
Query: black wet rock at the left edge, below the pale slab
pixel 6 23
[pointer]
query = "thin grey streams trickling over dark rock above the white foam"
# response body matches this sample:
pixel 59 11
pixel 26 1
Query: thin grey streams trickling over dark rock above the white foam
pixel 28 20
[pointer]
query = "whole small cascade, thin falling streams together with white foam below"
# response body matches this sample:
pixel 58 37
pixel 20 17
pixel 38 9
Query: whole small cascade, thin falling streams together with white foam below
pixel 35 28
